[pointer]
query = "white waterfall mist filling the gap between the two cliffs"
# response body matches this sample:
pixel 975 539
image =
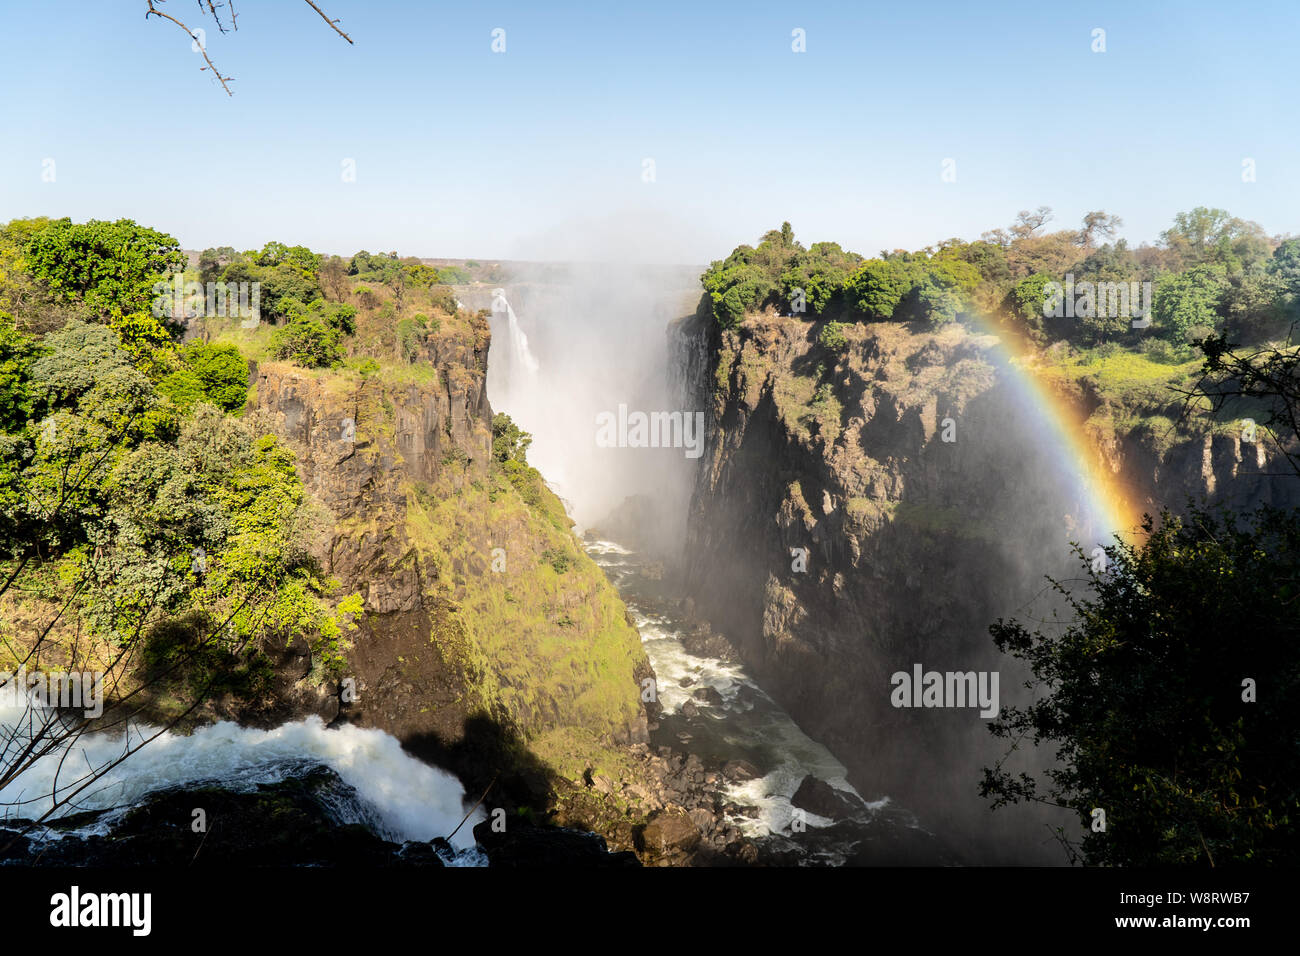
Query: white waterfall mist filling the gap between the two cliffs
pixel 573 343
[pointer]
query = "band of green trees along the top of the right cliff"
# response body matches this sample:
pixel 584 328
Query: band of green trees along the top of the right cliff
pixel 1211 274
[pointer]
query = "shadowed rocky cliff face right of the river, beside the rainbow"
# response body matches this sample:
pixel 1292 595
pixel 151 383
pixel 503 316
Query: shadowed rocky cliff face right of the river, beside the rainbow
pixel 860 513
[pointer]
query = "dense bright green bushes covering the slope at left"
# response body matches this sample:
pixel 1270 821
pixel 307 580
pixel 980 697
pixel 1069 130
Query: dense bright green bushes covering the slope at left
pixel 132 499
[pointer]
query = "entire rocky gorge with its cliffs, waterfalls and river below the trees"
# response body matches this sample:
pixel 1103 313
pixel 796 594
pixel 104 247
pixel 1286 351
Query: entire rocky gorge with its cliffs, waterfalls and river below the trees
pixel 681 641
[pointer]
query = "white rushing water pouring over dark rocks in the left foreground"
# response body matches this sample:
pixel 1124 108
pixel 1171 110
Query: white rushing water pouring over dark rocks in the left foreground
pixel 401 798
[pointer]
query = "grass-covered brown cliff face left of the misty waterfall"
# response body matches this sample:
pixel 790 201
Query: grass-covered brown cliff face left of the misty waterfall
pixel 488 634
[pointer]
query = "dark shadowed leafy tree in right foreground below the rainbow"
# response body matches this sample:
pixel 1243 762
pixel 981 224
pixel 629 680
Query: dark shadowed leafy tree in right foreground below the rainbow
pixel 1142 697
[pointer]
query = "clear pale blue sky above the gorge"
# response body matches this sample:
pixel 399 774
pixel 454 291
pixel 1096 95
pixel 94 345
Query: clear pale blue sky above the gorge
pixel 538 153
